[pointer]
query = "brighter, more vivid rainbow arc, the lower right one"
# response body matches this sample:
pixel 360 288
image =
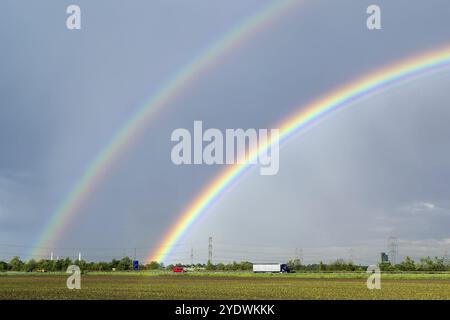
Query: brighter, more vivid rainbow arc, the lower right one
pixel 362 87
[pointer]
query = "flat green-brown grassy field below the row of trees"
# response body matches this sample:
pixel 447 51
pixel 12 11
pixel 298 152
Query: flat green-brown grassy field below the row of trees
pixel 224 286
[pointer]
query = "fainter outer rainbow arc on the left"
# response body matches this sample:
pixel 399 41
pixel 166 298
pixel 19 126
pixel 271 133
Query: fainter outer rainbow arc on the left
pixel 84 186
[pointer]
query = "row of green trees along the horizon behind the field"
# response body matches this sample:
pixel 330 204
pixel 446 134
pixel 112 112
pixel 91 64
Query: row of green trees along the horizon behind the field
pixel 424 264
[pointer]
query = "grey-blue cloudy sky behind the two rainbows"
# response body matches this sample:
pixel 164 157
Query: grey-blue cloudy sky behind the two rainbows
pixel 378 169
